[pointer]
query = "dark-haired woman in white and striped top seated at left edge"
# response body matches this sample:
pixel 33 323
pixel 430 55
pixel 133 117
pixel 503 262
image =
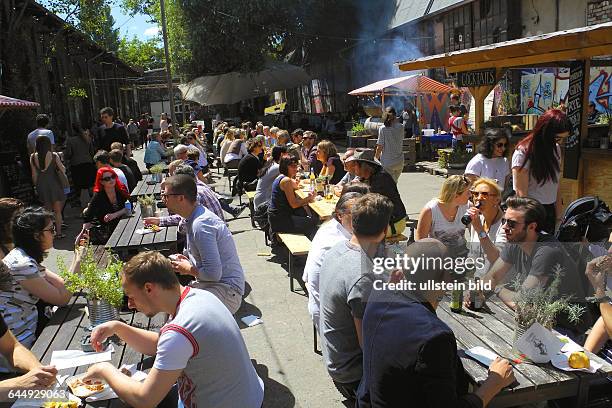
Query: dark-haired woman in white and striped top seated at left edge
pixel 29 287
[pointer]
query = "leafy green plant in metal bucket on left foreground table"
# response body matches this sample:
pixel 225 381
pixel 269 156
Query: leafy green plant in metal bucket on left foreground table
pixel 101 284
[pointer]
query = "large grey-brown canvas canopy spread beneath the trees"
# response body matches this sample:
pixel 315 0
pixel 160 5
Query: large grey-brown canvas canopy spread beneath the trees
pixel 237 86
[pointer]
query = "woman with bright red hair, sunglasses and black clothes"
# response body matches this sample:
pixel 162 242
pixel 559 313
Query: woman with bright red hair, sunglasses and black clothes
pixel 107 205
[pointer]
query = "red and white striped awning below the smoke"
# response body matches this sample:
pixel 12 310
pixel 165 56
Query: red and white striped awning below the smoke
pixel 413 84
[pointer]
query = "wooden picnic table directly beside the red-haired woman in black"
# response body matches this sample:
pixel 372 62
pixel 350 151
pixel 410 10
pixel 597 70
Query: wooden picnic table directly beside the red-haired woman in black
pixel 125 238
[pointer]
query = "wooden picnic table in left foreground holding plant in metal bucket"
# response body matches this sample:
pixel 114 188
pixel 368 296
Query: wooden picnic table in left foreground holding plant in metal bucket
pixel 66 328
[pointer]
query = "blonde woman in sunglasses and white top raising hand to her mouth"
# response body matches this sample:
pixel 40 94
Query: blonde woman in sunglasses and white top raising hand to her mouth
pixel 485 229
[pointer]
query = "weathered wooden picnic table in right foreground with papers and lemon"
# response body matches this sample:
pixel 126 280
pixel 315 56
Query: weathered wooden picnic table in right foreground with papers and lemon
pixel 493 328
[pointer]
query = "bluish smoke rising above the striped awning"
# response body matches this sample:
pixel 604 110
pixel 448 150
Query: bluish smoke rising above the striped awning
pixel 375 57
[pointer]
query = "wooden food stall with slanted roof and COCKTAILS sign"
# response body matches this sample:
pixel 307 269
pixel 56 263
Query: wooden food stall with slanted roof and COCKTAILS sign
pixel 586 170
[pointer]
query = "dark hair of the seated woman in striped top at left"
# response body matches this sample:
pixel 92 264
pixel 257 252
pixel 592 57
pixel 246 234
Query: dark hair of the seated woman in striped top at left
pixel 26 225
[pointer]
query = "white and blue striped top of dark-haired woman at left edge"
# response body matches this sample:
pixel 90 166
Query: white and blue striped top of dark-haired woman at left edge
pixel 17 305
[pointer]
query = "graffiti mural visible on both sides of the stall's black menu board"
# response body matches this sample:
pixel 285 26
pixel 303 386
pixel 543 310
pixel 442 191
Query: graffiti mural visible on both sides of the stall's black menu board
pixel 542 89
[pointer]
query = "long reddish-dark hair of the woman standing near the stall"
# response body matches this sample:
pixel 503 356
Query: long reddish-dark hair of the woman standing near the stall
pixel 540 146
